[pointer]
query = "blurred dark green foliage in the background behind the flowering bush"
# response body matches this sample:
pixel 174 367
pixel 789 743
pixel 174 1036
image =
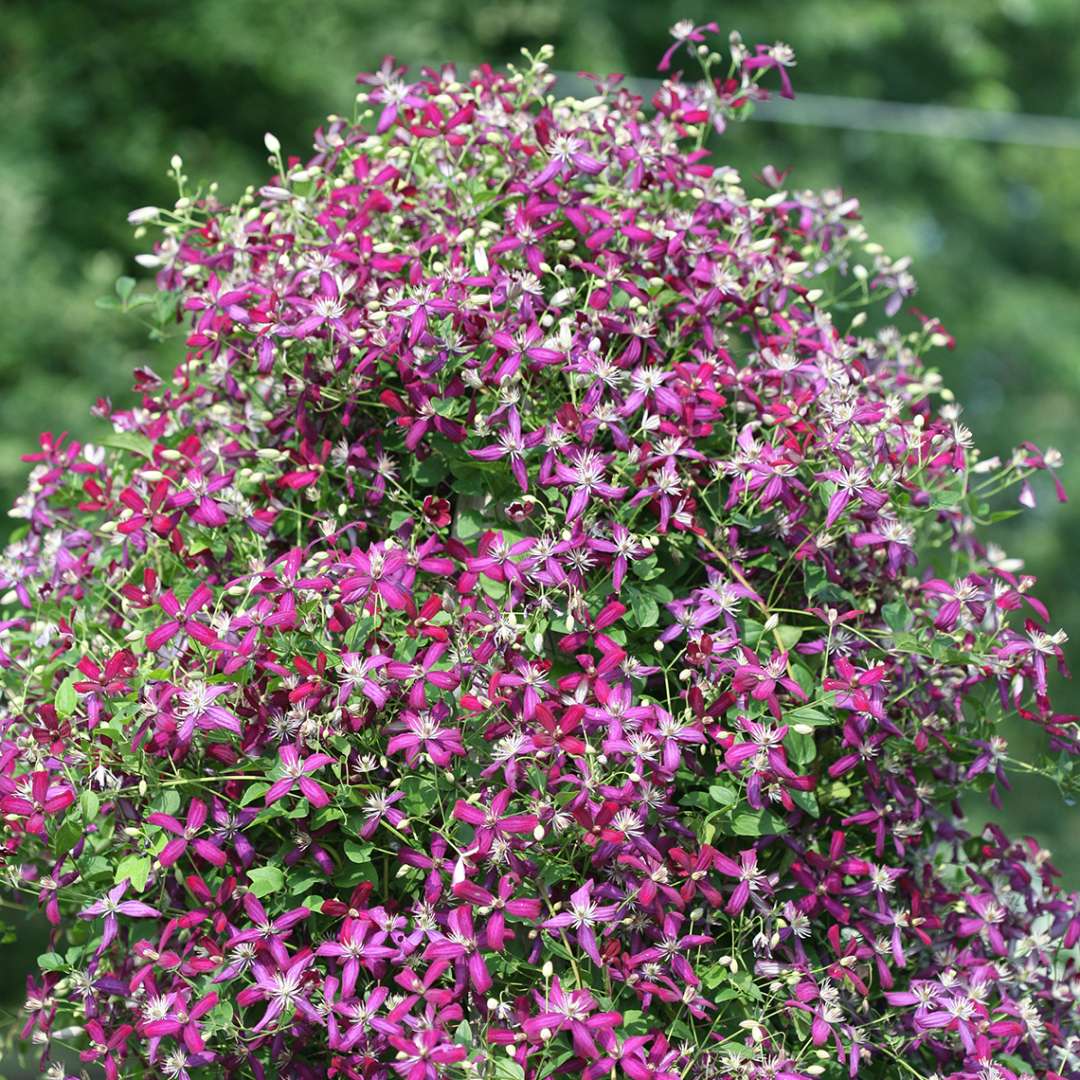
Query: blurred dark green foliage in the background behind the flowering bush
pixel 97 97
